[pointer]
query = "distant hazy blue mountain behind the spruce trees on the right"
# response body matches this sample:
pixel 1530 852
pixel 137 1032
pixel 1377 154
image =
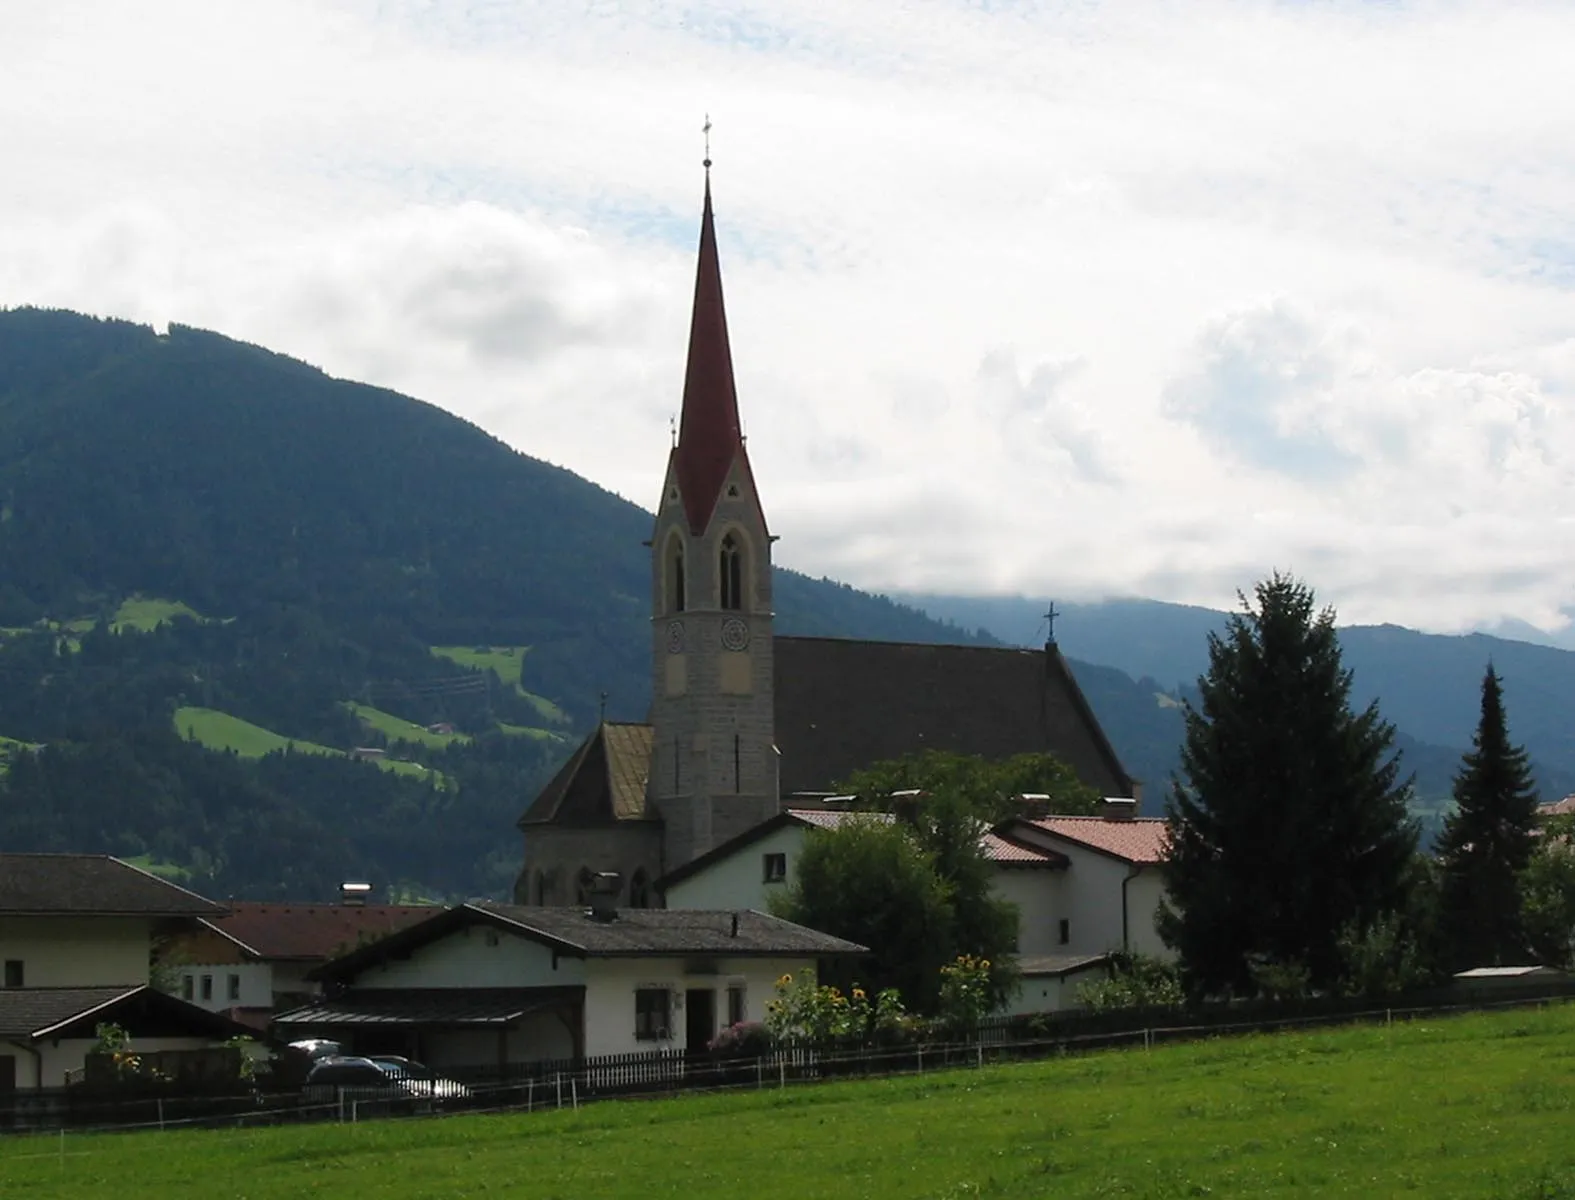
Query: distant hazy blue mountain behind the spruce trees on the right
pixel 1428 686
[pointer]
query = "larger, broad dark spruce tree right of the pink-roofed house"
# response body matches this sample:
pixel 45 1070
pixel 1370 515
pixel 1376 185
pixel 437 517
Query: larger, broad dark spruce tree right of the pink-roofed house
pixel 1291 826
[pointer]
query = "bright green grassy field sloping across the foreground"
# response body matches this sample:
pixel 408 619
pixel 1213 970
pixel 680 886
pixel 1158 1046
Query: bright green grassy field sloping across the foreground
pixel 1450 1108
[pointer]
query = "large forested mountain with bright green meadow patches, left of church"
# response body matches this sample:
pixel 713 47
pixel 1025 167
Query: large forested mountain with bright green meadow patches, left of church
pixel 210 552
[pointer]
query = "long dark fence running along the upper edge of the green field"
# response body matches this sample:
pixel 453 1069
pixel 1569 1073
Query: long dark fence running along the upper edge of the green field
pixel 568 1084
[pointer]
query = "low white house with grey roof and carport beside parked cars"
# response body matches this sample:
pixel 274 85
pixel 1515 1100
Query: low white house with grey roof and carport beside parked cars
pixel 483 987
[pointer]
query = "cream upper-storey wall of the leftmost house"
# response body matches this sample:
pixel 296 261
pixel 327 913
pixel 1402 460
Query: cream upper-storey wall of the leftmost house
pixel 78 952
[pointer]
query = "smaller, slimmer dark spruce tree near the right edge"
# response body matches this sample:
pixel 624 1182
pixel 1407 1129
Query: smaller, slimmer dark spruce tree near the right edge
pixel 1488 842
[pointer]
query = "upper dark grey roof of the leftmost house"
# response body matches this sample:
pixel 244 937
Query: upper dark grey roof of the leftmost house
pixel 91 886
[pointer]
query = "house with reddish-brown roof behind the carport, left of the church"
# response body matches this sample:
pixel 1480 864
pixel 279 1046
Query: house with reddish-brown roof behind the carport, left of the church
pixel 253 960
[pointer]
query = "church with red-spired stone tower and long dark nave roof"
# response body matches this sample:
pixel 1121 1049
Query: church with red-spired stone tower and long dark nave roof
pixel 744 722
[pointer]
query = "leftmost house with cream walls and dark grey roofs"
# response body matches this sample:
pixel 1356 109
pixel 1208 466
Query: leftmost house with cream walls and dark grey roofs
pixel 78 933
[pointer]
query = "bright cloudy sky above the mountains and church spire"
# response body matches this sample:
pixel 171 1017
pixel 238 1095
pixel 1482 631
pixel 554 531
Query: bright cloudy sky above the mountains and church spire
pixel 1067 300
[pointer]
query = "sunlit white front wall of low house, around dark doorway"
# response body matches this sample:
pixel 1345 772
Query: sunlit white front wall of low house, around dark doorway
pixel 612 987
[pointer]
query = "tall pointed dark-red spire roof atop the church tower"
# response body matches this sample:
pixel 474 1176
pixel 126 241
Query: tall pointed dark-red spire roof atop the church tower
pixel 710 434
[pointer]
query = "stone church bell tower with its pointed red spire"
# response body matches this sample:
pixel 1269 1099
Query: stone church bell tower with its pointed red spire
pixel 713 758
